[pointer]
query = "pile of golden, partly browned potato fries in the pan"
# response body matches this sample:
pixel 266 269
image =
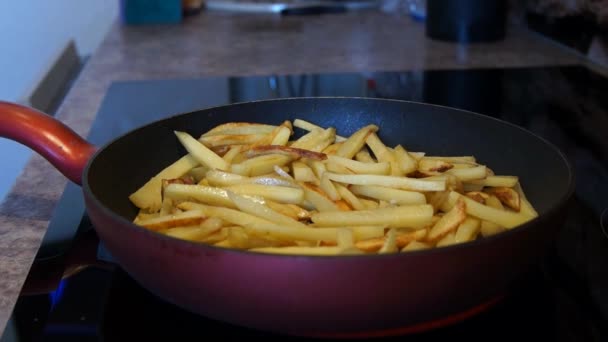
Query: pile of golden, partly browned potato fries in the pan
pixel 255 187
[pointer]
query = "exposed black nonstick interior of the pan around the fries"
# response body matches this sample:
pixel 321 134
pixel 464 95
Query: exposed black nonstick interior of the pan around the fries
pixel 125 164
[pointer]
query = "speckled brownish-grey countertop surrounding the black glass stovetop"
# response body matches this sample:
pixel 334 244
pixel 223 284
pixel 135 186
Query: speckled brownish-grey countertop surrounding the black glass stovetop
pixel 224 44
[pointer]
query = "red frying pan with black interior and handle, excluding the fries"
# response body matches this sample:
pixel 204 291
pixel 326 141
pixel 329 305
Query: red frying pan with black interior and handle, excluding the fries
pixel 337 296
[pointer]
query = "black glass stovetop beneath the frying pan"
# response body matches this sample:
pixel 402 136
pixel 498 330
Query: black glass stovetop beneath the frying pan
pixel 565 298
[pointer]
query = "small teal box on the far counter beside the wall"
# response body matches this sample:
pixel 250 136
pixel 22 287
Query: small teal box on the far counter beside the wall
pixel 134 12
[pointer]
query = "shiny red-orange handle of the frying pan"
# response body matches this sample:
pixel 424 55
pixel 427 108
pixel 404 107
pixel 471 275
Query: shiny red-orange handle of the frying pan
pixel 53 140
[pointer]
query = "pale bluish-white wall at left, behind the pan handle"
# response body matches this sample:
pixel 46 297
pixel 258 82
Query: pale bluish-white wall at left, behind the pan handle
pixel 32 35
